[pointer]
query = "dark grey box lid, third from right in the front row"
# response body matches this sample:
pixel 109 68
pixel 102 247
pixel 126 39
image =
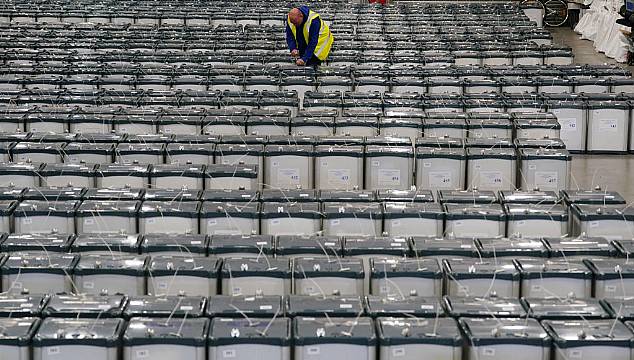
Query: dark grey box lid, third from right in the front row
pixel 406 331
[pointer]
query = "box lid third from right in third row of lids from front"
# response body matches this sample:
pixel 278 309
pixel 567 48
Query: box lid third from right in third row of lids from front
pixel 475 268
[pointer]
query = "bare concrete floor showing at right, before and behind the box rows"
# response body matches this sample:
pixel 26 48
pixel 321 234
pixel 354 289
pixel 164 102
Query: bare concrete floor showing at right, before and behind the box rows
pixel 610 172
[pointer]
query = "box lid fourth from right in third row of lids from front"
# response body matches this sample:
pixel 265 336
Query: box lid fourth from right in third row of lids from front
pixel 382 268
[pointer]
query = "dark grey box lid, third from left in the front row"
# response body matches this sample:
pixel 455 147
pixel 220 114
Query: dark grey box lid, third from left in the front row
pixel 149 331
